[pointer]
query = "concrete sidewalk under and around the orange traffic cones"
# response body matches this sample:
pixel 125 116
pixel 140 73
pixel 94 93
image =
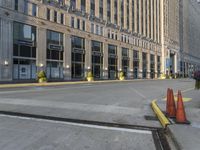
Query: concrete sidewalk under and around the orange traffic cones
pixel 186 137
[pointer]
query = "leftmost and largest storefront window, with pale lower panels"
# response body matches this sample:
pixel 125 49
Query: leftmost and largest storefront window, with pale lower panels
pixel 24 52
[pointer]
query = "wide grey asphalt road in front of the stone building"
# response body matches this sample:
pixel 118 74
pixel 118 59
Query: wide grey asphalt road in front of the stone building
pixel 117 103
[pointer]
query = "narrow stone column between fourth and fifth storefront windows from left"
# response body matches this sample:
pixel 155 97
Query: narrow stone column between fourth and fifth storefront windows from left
pixel 105 61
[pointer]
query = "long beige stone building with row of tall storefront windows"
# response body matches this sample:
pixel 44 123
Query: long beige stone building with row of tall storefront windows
pixel 68 38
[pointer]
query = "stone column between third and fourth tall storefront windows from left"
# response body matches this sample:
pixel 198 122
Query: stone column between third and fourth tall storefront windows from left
pixel 88 56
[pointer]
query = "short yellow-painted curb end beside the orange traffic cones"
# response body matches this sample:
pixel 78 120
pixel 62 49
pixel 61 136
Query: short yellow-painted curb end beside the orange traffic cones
pixel 163 120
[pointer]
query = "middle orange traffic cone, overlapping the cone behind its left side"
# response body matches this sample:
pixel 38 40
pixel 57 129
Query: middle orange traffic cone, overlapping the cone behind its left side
pixel 172 106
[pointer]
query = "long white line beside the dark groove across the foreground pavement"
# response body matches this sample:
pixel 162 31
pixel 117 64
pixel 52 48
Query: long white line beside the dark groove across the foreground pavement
pixel 83 125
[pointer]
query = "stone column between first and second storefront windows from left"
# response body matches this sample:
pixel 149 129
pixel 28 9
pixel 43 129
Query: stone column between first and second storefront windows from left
pixel 41 49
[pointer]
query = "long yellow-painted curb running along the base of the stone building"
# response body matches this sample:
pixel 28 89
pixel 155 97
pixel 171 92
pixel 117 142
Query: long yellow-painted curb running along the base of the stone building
pixel 68 83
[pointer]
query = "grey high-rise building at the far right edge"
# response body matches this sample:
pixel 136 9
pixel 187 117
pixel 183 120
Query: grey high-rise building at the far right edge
pixel 189 36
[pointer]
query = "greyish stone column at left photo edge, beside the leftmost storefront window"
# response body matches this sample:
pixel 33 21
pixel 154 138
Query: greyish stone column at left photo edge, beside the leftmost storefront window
pixel 6 49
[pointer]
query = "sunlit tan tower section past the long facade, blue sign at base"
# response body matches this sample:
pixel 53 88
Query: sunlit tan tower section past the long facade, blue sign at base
pixel 170 36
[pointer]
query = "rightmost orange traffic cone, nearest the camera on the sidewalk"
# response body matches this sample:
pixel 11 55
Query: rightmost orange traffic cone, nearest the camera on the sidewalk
pixel 180 113
